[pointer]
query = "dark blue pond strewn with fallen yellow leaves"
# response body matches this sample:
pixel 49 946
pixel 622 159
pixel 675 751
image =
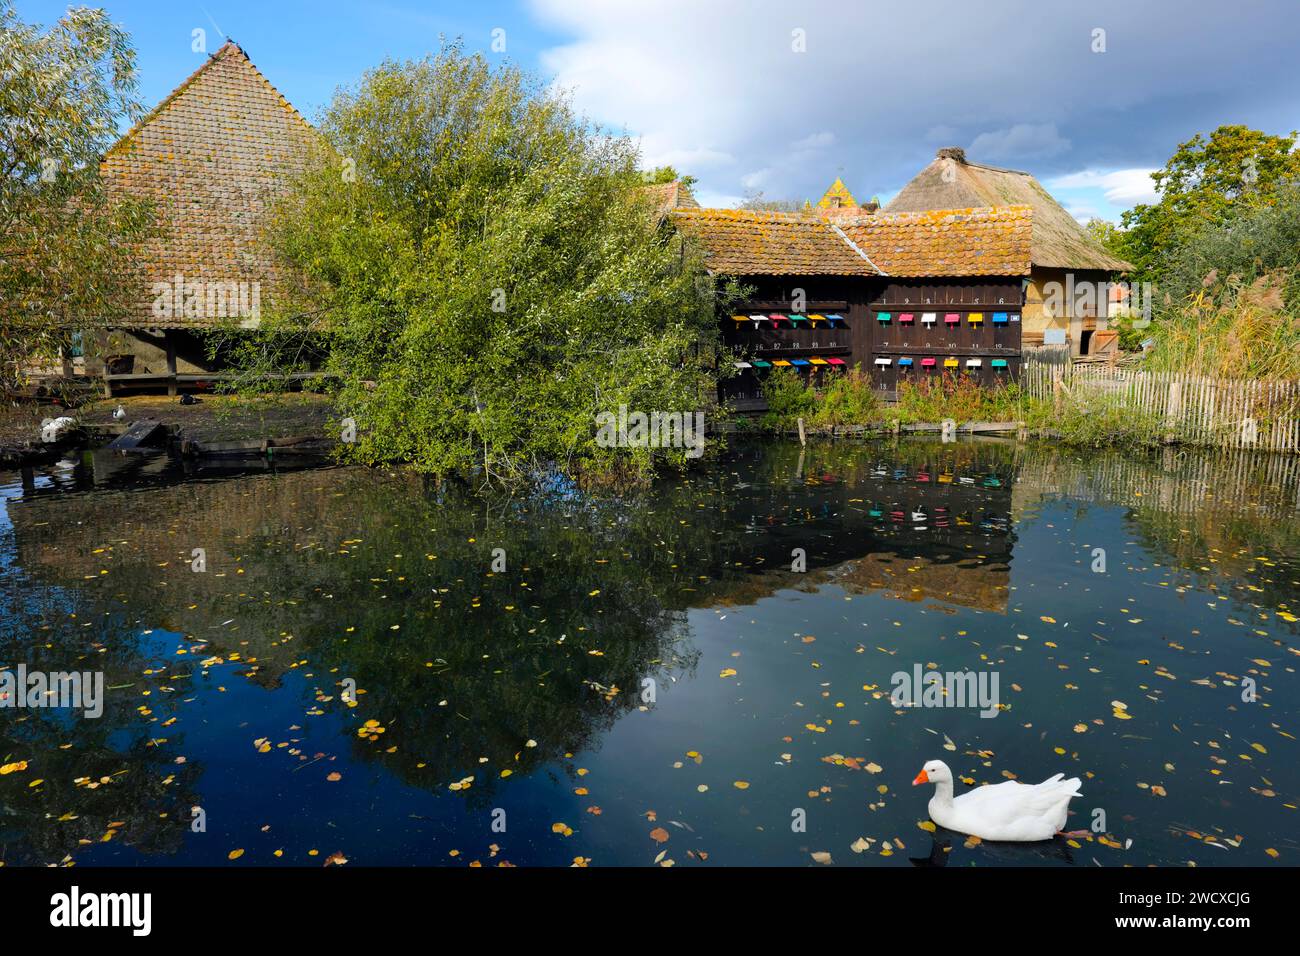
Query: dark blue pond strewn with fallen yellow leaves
pixel 341 664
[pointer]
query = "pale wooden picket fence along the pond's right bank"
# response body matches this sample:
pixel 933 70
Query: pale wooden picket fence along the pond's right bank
pixel 1219 413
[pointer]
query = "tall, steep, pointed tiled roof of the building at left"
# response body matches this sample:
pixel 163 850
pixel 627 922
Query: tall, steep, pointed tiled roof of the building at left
pixel 213 155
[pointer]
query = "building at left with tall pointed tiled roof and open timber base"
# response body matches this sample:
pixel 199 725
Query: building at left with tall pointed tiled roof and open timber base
pixel 214 157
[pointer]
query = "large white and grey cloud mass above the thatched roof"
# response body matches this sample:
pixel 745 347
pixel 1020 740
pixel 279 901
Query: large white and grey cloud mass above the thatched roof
pixel 717 90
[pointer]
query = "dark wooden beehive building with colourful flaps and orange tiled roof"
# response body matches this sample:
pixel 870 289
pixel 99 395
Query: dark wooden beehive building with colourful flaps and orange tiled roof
pixel 900 296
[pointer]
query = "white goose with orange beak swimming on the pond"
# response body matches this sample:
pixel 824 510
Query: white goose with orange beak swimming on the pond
pixel 1011 811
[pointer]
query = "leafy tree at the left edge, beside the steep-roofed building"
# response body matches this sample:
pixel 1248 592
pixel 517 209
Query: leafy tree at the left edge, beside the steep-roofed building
pixel 64 240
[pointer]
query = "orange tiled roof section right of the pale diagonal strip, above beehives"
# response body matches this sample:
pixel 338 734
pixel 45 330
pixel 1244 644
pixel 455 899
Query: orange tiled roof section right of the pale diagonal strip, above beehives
pixel 993 241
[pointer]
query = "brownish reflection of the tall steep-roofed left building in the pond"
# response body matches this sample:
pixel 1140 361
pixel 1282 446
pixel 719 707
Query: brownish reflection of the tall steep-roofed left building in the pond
pixel 255 533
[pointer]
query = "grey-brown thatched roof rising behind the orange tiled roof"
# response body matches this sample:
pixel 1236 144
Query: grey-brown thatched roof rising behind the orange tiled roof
pixel 954 183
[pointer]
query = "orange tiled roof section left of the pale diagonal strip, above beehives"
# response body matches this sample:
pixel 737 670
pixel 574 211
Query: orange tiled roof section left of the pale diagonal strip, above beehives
pixel 739 243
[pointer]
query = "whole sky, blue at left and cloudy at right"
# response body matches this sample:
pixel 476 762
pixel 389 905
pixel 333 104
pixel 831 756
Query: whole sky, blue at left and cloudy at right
pixel 779 98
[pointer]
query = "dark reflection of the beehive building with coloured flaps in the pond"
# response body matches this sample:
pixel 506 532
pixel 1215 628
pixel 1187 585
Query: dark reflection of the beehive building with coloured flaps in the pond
pixel 926 522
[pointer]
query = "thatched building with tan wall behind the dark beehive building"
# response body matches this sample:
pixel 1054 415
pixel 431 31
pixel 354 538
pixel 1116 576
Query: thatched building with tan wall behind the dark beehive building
pixel 1067 296
